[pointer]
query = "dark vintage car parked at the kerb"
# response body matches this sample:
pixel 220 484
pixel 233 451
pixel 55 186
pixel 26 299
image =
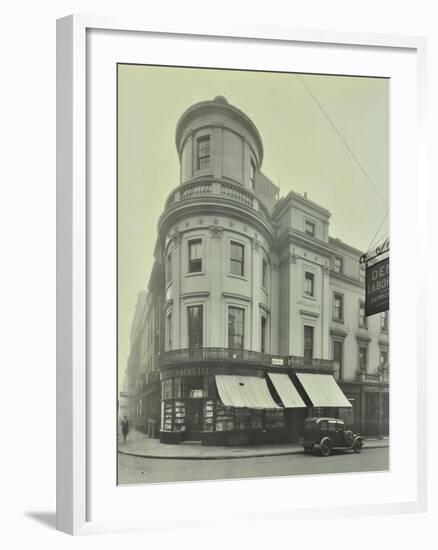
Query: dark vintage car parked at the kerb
pixel 325 434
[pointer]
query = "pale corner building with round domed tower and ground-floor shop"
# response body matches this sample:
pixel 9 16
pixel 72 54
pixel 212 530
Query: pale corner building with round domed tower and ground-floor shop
pixel 261 312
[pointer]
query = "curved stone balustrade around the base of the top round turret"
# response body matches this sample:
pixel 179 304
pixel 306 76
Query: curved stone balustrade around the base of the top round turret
pixel 228 190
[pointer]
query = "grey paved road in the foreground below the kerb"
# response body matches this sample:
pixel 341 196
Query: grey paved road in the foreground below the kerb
pixel 146 470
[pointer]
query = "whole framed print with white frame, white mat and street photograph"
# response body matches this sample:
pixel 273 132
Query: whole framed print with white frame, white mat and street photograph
pixel 231 220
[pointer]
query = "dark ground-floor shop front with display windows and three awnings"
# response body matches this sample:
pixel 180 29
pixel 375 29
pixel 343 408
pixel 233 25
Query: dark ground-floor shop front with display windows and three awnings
pixel 241 409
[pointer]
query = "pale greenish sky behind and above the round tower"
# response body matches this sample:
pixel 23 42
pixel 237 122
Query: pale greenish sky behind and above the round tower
pixel 302 152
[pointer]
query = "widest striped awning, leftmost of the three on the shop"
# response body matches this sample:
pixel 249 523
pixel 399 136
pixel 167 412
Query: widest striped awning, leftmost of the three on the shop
pixel 244 391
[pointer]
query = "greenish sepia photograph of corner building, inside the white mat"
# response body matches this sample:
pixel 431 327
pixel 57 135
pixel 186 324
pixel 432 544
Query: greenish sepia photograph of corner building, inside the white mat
pixel 252 274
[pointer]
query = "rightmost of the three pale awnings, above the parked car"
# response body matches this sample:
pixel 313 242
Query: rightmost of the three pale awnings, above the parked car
pixel 323 390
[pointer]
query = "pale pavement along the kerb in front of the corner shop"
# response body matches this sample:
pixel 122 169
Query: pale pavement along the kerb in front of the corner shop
pixel 140 445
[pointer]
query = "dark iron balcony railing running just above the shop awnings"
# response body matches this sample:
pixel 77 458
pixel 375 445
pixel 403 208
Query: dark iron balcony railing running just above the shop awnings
pixel 243 356
